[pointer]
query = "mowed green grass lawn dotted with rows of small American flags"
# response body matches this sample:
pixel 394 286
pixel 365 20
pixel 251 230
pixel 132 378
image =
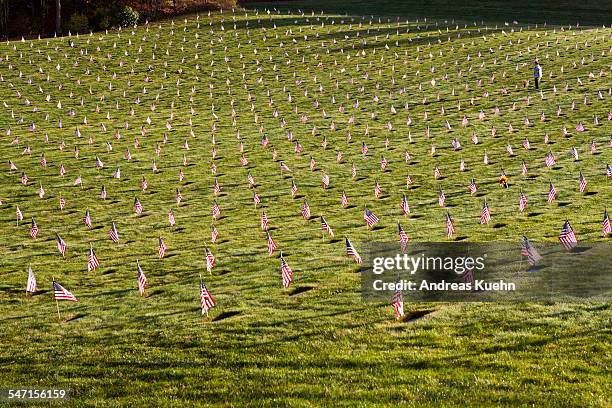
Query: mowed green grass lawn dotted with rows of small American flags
pixel 264 345
